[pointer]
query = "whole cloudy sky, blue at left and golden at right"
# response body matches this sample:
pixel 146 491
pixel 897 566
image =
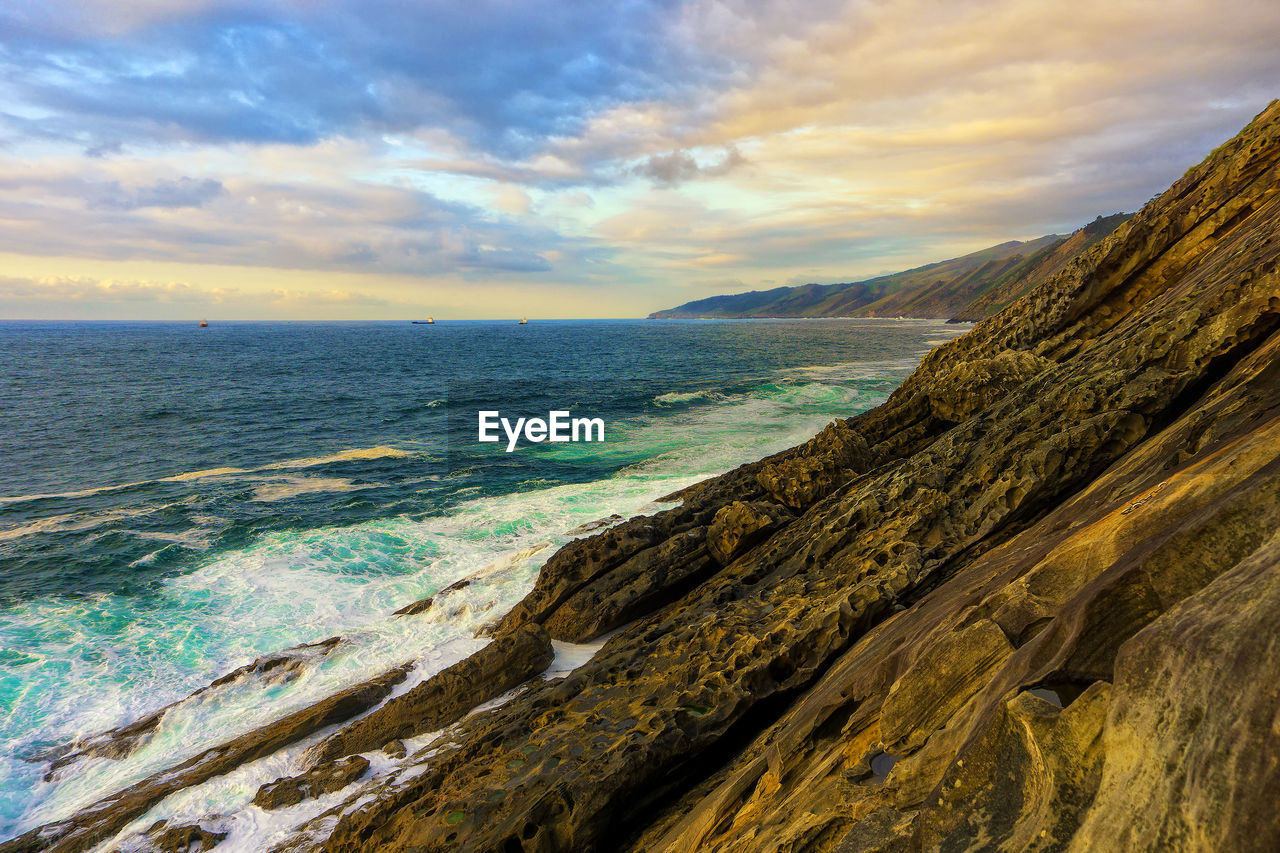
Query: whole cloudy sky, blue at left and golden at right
pixel 385 159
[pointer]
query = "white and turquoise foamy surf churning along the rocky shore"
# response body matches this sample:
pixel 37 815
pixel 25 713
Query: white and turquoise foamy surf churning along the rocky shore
pixel 103 662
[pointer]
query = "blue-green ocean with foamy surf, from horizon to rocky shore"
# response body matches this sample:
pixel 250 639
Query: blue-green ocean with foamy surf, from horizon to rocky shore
pixel 176 501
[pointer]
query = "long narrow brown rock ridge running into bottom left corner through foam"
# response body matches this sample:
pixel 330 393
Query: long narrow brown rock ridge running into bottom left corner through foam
pixel 108 816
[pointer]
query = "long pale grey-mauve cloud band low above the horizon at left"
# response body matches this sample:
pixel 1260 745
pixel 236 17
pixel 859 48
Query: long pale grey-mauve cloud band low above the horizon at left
pixel 104 212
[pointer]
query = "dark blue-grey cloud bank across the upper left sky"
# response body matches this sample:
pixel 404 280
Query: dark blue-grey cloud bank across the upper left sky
pixel 501 75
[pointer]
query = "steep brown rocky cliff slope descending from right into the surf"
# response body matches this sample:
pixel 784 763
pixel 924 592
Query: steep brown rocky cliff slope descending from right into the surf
pixel 1030 604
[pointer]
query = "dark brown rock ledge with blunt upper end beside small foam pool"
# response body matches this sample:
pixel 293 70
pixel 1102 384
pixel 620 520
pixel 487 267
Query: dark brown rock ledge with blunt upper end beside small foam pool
pixel 446 697
